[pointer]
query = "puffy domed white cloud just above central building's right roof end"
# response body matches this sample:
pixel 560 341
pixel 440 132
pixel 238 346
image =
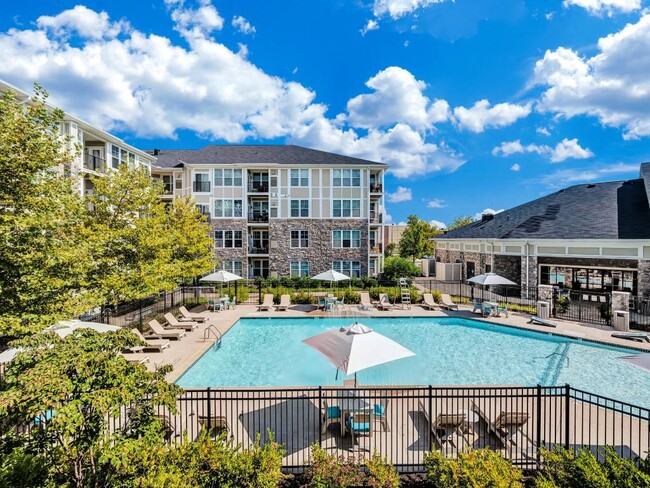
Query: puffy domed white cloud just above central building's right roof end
pixel 397 97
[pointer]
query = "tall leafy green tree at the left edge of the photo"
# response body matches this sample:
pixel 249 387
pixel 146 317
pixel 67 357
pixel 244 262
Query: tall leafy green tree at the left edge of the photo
pixel 43 254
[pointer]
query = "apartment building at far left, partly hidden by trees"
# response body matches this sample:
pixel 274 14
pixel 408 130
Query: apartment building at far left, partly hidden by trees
pixel 96 151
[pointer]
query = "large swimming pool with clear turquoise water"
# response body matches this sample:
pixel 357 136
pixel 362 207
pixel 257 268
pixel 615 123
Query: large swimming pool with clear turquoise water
pixel 449 351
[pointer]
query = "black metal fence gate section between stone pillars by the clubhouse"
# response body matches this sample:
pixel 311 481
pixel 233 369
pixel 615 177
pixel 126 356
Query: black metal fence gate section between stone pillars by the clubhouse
pixel 583 306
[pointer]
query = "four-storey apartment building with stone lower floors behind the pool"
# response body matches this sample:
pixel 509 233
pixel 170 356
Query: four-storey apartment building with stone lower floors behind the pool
pixel 283 210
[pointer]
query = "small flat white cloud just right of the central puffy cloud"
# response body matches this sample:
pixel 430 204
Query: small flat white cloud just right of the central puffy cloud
pixel 481 116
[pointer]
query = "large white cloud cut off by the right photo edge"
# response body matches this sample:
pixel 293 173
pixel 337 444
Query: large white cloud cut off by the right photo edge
pixel 612 85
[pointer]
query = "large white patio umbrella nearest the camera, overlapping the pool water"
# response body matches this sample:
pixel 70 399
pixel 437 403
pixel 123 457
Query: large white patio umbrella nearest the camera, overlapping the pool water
pixel 356 347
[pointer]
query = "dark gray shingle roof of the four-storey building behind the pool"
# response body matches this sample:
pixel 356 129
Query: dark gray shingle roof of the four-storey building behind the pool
pixel 255 154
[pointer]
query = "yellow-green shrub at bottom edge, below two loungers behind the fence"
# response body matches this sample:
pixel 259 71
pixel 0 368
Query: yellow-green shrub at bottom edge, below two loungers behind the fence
pixel 480 467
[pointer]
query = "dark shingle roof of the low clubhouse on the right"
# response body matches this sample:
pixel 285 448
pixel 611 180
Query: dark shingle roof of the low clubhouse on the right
pixel 611 210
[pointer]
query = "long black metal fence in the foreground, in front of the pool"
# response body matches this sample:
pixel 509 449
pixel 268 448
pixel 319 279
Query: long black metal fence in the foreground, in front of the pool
pixel 403 424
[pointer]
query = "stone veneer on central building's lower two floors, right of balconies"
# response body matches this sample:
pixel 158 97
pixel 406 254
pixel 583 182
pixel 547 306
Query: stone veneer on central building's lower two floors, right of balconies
pixel 320 252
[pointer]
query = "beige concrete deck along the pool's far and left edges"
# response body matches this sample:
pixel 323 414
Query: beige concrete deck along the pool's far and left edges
pixel 182 354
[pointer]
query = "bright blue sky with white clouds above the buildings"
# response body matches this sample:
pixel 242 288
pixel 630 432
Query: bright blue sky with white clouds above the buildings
pixel 480 104
